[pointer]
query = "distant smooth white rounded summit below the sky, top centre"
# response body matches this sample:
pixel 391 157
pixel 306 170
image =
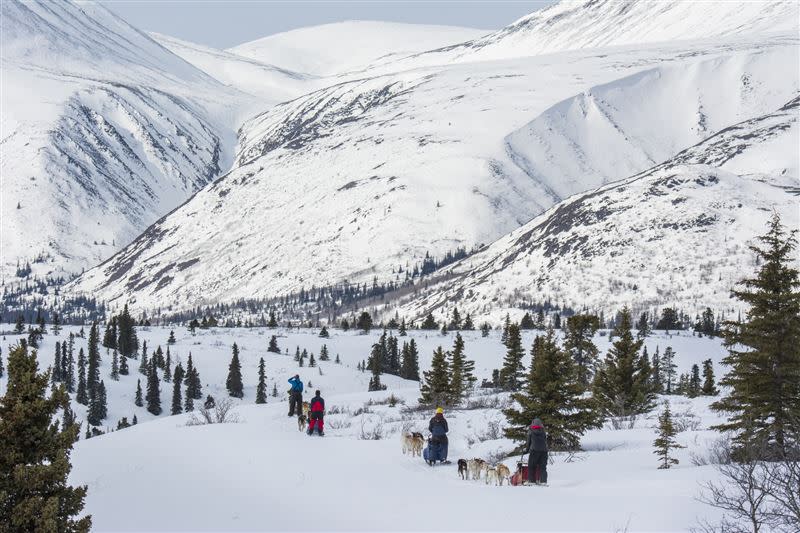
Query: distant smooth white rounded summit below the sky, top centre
pixel 341 47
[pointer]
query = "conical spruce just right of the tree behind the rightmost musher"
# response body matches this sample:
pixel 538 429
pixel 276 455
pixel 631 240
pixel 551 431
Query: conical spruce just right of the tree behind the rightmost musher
pixel 621 386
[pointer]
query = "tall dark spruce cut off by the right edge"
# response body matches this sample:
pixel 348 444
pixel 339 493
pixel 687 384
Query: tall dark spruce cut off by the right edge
pixel 764 349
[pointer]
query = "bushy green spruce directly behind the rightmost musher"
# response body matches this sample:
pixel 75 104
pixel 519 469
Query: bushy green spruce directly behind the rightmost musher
pixel 553 393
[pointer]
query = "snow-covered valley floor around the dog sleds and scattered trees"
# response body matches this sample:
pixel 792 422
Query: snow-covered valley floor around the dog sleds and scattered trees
pixel 262 473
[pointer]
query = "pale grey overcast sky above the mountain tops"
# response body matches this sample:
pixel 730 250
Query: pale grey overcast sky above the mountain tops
pixel 222 24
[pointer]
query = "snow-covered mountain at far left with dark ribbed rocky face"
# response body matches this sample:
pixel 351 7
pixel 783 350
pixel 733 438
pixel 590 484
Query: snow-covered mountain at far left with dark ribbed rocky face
pixel 104 130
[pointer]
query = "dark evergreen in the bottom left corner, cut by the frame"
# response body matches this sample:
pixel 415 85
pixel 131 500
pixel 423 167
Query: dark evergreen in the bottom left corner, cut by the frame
pixel 34 457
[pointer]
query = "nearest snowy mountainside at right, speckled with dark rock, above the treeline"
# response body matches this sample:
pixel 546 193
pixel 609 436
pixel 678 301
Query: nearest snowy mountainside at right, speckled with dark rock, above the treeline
pixel 675 234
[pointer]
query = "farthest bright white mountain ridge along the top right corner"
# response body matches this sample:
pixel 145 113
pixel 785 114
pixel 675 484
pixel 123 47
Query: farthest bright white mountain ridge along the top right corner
pixel 587 24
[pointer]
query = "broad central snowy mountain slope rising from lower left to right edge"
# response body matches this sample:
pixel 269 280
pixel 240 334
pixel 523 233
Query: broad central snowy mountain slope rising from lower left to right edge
pixel 364 177
